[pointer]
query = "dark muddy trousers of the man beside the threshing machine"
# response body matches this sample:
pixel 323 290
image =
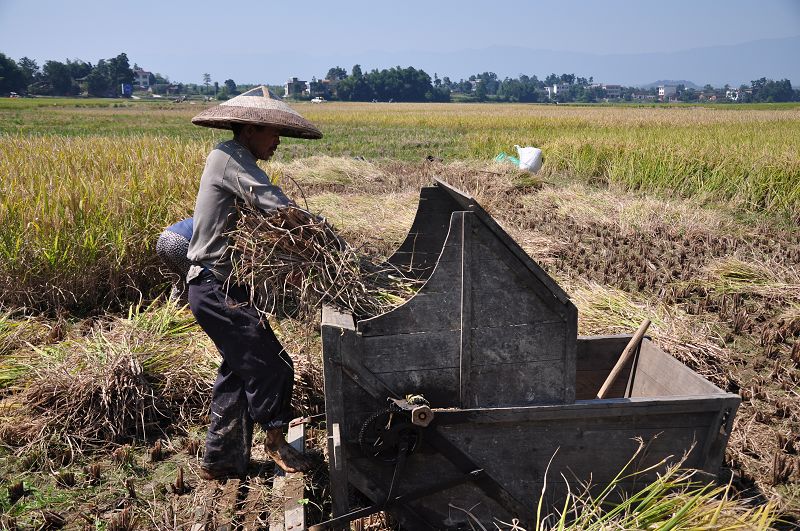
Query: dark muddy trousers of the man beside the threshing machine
pixel 254 381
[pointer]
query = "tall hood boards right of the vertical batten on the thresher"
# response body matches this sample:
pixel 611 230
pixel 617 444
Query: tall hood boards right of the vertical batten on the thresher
pixel 521 352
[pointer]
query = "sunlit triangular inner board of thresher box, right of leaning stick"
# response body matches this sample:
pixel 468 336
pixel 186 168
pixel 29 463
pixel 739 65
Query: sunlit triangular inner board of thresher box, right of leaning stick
pixel 659 374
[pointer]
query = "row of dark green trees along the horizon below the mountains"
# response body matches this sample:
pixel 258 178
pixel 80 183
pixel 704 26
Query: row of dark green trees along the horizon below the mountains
pixel 104 79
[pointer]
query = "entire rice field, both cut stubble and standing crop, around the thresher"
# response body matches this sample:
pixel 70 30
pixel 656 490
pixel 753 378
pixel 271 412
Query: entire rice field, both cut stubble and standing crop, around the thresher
pixel 686 216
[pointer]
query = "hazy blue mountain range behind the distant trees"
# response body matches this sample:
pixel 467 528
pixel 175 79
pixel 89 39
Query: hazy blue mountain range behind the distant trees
pixel 717 65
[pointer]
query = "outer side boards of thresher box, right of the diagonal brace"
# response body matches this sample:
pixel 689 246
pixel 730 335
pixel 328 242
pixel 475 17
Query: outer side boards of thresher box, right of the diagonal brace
pixel 520 461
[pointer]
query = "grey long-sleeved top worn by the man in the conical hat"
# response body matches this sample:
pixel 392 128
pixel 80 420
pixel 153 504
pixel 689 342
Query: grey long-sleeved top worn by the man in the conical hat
pixel 231 176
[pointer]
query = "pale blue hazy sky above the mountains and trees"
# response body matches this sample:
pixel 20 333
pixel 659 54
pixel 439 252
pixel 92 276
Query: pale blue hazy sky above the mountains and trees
pixel 267 41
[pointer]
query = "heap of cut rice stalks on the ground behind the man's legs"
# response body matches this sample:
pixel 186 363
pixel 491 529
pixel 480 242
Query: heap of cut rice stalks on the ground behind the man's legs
pixel 125 380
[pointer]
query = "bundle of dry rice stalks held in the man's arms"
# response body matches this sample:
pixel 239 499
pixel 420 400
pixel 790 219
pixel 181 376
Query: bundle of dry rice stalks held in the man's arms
pixel 294 262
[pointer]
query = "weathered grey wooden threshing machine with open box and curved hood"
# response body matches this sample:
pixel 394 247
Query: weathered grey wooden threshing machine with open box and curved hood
pixel 490 341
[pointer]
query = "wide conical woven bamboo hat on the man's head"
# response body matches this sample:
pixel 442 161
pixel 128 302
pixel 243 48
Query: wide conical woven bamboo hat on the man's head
pixel 258 107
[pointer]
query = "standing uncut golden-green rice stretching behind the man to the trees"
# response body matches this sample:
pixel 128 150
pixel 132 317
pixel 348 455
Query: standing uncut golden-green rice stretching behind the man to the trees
pixel 88 184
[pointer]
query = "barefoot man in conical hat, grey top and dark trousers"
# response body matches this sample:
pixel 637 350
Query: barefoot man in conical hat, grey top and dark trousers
pixel 254 382
